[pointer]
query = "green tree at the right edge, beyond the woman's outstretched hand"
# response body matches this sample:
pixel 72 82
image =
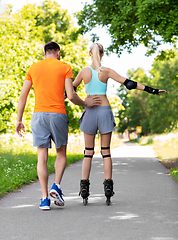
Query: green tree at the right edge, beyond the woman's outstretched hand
pixel 164 109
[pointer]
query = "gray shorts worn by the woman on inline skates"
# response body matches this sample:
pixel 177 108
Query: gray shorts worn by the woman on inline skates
pixel 97 118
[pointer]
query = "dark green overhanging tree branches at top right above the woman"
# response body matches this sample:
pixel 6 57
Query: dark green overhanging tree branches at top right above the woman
pixel 131 22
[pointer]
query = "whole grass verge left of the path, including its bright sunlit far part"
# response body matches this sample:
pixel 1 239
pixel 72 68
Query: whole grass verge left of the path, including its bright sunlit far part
pixel 18 159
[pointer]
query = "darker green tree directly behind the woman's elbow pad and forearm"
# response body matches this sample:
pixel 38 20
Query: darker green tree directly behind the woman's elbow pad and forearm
pixel 135 105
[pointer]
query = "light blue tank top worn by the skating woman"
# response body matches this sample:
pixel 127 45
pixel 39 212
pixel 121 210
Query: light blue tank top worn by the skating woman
pixel 95 86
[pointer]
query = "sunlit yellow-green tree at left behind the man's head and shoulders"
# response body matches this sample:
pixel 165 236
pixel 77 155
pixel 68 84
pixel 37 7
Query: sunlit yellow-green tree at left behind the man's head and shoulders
pixel 22 38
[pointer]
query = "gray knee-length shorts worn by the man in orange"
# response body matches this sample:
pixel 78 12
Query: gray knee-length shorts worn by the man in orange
pixel 47 127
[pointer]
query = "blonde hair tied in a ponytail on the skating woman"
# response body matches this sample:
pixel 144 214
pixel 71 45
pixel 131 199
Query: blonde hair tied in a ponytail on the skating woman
pixel 96 50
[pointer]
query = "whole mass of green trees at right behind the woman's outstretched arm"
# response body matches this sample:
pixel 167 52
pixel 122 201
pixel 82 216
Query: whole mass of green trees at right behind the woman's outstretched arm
pixel 156 114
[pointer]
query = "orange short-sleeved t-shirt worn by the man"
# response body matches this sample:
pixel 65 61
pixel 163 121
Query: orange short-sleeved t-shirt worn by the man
pixel 48 78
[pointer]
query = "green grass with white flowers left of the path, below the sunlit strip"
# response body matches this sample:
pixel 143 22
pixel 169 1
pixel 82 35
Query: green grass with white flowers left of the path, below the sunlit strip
pixel 20 169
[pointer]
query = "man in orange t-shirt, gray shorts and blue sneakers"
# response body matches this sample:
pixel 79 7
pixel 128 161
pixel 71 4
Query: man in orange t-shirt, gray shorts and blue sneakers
pixel 49 78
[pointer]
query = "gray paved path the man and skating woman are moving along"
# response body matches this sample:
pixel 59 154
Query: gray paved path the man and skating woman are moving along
pixel 145 205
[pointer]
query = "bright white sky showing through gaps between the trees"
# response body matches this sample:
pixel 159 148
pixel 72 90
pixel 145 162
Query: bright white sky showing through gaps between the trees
pixel 136 59
